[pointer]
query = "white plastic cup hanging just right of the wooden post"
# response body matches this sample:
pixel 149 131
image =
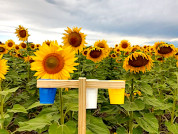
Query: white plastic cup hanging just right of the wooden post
pixel 91 97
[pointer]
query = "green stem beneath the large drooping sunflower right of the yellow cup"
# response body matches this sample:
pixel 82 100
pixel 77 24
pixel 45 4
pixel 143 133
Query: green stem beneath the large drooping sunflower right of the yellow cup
pixel 131 112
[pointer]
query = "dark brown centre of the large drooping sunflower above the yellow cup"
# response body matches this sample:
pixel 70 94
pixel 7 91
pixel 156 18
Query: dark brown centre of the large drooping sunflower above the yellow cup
pixel 138 62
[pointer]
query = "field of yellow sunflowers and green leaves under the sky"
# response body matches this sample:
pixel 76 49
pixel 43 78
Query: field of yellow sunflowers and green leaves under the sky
pixel 151 89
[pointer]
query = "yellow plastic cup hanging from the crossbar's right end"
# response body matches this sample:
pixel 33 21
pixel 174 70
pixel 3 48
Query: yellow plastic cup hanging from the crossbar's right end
pixel 116 96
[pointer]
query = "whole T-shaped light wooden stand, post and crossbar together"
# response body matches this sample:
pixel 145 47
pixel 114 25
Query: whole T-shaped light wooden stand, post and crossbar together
pixel 82 84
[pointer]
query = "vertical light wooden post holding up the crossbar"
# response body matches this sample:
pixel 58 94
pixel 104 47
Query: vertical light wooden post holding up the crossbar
pixel 82 106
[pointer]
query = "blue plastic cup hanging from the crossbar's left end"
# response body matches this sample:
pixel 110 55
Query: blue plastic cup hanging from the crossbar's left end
pixel 47 95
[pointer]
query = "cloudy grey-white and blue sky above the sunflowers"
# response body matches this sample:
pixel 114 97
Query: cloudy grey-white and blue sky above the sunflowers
pixel 141 22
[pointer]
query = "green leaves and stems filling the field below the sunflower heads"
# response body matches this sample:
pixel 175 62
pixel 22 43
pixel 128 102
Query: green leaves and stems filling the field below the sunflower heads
pixel 22 111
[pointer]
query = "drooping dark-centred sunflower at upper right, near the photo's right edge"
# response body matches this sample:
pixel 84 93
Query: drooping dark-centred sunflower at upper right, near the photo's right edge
pixel 165 50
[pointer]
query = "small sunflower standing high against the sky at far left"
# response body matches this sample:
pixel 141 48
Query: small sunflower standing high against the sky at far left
pixel 22 33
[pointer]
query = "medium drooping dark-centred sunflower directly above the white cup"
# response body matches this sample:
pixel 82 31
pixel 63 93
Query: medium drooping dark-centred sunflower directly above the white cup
pixel 95 54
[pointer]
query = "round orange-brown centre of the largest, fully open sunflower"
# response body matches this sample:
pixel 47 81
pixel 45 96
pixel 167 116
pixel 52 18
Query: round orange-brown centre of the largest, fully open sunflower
pixel 53 63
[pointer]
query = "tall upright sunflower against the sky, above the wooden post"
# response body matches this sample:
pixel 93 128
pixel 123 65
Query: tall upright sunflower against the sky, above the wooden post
pixel 74 39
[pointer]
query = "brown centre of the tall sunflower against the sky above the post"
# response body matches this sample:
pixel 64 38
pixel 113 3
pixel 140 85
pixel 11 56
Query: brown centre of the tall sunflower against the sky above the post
pixel 75 39
